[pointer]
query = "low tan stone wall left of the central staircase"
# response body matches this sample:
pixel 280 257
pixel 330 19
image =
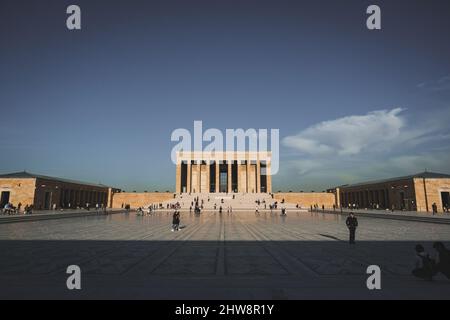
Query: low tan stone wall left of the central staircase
pixel 139 199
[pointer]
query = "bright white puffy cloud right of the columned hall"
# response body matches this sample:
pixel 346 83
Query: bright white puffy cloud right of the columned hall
pixel 350 135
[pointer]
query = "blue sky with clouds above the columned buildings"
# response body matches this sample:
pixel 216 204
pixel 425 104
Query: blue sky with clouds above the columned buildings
pixel 100 104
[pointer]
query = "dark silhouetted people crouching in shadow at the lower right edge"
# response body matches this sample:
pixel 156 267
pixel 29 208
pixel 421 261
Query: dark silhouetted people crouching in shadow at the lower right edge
pixel 427 267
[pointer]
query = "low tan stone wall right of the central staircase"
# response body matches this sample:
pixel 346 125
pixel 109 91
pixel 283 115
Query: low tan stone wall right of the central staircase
pixel 307 199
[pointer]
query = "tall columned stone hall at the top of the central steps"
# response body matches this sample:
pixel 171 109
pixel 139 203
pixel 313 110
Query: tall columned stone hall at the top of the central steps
pixel 225 172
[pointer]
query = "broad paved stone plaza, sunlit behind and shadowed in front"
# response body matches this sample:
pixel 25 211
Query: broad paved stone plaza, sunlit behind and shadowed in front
pixel 216 256
